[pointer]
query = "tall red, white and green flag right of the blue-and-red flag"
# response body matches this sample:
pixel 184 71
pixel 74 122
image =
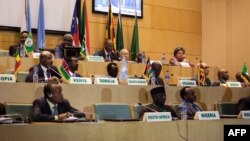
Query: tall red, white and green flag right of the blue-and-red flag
pixel 85 49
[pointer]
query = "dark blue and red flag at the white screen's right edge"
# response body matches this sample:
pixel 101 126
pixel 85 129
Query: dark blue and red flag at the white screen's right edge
pixel 75 28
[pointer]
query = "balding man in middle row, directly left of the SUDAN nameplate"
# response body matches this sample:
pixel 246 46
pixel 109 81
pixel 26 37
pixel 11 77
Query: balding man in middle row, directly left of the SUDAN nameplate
pixel 223 77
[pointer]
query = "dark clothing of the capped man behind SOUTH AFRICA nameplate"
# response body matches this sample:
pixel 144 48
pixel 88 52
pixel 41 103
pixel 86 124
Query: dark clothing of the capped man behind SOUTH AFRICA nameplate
pixel 165 108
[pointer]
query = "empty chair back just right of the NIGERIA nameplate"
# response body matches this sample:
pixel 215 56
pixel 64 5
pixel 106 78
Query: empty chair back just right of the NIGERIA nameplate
pixel 226 108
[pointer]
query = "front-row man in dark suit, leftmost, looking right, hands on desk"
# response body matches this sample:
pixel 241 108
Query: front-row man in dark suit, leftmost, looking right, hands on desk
pixel 53 106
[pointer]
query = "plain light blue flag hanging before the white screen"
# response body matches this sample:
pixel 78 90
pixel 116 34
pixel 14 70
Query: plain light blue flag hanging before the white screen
pixel 41 27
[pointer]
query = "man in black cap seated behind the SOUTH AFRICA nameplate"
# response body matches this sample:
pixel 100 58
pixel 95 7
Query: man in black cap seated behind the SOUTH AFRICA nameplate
pixel 159 97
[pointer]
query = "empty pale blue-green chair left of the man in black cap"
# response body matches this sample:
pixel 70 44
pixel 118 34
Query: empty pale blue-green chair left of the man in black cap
pixel 112 111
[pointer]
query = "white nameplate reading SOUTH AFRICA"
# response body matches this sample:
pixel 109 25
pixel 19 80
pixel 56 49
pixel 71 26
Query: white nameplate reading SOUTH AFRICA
pixel 157 116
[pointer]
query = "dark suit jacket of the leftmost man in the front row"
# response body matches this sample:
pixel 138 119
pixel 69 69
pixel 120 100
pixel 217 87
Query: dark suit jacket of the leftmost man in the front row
pixel 41 110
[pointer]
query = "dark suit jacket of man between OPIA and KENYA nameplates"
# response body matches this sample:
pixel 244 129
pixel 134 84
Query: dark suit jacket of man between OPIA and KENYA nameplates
pixel 41 77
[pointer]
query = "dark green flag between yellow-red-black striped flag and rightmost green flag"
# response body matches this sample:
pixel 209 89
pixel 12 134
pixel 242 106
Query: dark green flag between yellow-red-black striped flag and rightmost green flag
pixel 119 33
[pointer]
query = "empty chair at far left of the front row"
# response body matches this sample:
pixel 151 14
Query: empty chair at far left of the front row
pixel 21 111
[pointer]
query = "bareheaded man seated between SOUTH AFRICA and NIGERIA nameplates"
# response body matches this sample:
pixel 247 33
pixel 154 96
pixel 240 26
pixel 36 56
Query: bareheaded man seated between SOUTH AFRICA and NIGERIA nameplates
pixel 188 96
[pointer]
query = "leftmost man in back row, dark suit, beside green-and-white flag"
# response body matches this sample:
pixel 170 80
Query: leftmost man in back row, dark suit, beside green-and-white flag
pixel 20 46
